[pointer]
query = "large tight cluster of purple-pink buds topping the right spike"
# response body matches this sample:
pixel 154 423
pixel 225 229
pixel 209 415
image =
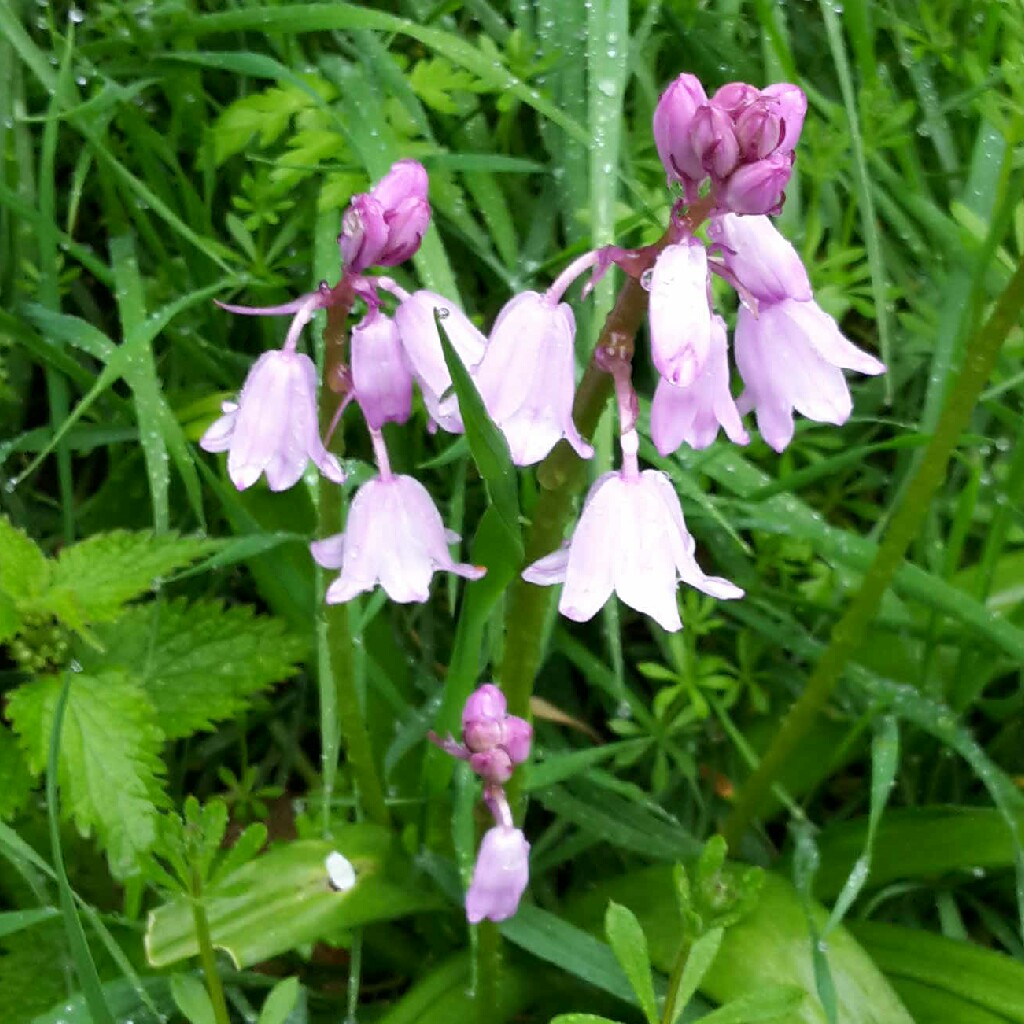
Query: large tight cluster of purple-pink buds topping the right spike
pixel 742 141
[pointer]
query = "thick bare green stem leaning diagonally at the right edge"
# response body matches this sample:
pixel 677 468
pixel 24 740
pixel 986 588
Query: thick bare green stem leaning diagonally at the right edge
pixel 984 351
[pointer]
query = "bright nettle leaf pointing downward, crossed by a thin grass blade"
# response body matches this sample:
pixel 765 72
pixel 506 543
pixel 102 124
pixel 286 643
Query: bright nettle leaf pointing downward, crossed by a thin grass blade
pixel 109 767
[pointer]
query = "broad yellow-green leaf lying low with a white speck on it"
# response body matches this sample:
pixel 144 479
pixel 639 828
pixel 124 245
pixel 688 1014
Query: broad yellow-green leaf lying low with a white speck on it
pixel 283 900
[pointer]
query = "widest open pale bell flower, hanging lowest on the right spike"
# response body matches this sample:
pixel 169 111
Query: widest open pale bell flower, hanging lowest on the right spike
pixel 632 541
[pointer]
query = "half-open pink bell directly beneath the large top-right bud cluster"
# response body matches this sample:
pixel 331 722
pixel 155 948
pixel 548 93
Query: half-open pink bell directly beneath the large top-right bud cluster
pixel 760 259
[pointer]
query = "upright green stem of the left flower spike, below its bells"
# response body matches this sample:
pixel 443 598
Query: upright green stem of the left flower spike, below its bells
pixel 340 706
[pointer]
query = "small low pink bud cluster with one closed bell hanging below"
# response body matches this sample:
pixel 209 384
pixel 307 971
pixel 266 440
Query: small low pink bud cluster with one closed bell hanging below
pixel 494 743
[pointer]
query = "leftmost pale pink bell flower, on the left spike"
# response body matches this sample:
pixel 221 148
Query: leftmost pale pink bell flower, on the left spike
pixel 274 429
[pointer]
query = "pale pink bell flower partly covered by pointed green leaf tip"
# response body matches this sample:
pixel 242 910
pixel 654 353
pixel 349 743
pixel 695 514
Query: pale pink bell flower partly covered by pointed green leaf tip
pixel 415 318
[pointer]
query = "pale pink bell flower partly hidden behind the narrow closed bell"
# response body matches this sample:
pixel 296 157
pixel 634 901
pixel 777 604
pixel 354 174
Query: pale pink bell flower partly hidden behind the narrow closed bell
pixel 694 414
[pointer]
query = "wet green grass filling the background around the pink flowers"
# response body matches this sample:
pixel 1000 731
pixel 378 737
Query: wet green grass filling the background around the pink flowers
pixel 157 157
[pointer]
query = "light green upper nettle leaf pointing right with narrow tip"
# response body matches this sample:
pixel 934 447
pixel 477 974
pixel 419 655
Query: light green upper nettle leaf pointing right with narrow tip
pixel 92 581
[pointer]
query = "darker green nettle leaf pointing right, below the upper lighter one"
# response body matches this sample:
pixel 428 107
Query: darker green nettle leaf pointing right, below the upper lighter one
pixel 200 663
